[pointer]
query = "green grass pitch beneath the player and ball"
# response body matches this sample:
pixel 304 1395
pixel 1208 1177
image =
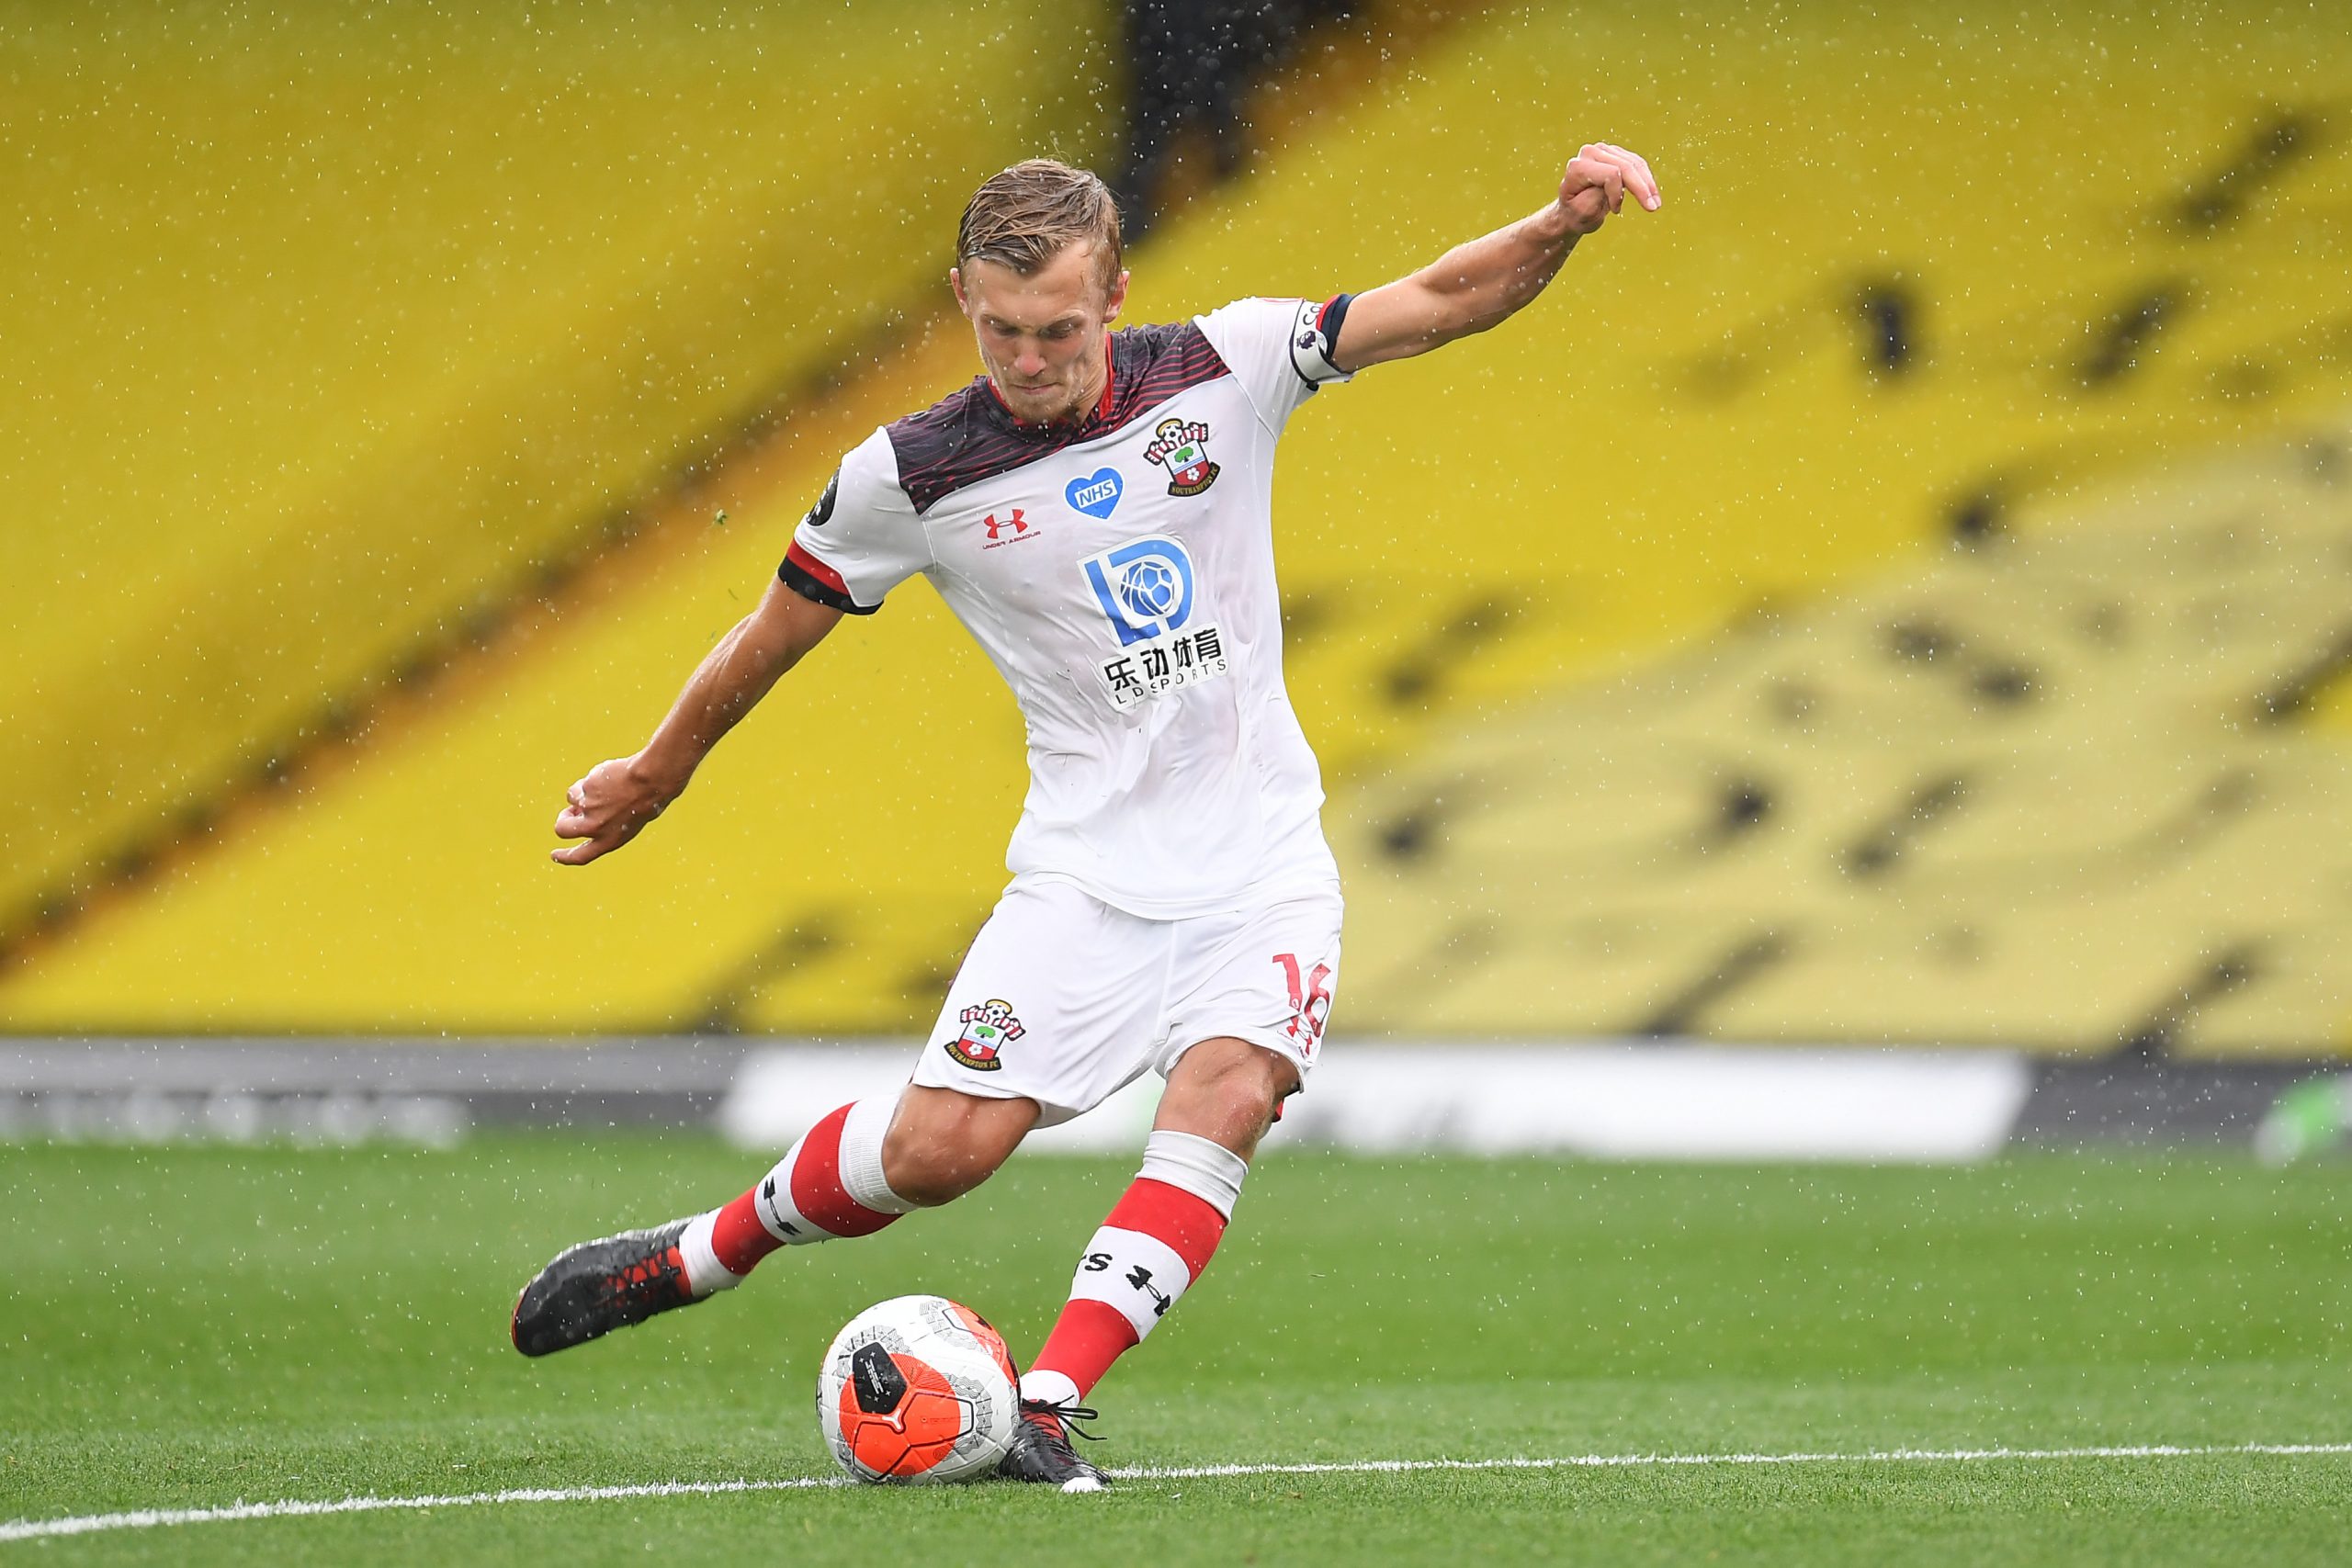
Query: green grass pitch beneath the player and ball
pixel 203 1327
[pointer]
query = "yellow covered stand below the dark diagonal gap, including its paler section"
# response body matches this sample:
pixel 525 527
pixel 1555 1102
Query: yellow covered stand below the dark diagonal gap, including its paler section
pixel 1556 594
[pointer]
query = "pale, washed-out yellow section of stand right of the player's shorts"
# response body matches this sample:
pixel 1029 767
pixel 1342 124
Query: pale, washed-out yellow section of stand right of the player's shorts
pixel 2022 793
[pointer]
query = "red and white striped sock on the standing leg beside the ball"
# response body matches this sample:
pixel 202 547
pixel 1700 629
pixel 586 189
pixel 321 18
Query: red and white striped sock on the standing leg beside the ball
pixel 1147 1254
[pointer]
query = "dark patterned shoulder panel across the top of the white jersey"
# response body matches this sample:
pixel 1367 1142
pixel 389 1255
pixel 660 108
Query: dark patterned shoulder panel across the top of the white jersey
pixel 970 436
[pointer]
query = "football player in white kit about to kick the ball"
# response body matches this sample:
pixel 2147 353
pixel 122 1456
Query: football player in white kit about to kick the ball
pixel 1097 514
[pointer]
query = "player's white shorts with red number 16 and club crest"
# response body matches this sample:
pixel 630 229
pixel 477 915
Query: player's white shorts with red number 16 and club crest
pixel 1067 1000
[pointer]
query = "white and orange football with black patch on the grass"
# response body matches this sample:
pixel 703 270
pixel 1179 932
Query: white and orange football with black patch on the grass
pixel 918 1391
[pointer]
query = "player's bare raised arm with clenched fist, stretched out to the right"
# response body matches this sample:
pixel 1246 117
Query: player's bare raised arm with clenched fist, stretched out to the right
pixel 1488 281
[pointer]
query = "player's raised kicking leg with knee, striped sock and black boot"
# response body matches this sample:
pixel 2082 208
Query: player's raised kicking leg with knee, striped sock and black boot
pixel 848 1177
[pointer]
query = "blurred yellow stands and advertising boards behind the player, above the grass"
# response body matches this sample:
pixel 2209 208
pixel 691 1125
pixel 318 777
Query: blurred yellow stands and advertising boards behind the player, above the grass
pixel 1862 669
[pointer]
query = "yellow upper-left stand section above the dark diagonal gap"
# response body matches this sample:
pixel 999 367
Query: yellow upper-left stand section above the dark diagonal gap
pixel 342 328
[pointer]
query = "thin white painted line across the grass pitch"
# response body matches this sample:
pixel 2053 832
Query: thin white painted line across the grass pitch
pixel 147 1520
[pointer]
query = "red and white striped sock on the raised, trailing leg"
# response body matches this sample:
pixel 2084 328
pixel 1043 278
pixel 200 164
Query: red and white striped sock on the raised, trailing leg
pixel 827 1186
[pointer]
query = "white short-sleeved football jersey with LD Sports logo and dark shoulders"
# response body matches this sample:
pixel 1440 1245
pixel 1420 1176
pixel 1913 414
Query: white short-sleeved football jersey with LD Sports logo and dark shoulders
pixel 1121 575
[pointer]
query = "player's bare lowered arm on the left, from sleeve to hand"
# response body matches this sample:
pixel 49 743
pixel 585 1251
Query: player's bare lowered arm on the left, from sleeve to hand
pixel 620 798
